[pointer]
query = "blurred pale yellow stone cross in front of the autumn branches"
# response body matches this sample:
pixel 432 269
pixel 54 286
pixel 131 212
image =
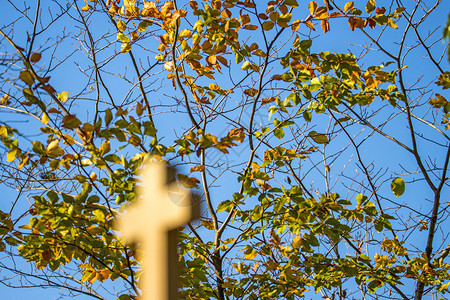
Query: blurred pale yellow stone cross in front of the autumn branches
pixel 161 207
